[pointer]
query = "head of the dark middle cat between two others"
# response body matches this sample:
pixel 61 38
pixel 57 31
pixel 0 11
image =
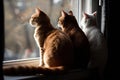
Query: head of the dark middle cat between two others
pixel 66 19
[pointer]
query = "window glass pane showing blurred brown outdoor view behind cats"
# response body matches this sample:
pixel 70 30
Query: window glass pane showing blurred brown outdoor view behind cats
pixel 19 41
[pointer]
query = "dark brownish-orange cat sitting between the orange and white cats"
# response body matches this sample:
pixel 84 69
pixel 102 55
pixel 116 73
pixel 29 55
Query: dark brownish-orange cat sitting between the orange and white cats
pixel 69 25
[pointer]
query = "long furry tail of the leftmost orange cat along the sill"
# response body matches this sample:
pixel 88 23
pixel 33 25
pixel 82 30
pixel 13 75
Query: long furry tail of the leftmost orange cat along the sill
pixel 32 70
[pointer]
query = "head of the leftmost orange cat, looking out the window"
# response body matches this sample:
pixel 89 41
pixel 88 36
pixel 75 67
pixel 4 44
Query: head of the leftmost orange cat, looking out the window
pixel 38 18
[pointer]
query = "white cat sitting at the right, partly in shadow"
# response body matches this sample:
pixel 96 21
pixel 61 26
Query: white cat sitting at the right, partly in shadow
pixel 98 45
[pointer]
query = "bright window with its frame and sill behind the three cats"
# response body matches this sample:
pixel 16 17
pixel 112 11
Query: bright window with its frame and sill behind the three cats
pixel 20 46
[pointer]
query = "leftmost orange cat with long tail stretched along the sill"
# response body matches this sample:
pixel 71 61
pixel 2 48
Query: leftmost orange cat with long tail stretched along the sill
pixel 56 48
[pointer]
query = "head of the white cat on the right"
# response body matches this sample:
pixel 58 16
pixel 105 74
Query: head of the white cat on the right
pixel 88 19
